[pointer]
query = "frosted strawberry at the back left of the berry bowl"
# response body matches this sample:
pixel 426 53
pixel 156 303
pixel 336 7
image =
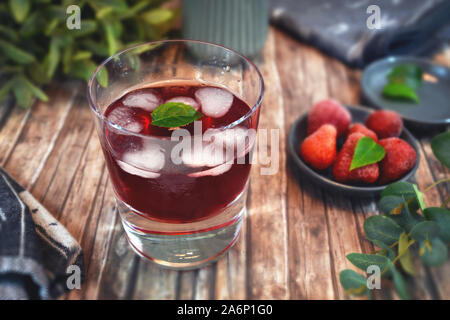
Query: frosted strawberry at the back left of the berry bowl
pixel 329 112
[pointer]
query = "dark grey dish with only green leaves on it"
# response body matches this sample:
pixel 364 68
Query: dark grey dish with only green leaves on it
pixel 434 94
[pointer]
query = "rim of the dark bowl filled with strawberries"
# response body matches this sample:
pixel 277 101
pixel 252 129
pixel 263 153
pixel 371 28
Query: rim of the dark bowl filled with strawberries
pixel 338 185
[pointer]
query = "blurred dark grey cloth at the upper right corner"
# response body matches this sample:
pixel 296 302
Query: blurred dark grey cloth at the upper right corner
pixel 339 27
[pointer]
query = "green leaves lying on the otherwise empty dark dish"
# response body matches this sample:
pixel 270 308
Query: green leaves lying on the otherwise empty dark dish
pixel 403 81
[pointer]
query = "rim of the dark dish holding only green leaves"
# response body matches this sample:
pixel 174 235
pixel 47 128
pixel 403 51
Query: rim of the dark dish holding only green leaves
pixel 393 60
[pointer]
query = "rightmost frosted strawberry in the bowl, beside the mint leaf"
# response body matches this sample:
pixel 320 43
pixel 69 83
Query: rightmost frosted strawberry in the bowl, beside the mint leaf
pixel 399 159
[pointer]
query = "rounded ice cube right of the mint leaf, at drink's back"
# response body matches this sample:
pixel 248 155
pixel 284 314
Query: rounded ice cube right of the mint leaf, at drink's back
pixel 215 102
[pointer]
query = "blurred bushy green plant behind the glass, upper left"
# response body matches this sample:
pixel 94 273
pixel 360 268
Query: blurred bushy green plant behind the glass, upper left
pixel 36 44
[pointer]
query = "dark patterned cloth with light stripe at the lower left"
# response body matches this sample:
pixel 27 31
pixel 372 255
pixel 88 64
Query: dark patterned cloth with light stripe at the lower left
pixel 35 249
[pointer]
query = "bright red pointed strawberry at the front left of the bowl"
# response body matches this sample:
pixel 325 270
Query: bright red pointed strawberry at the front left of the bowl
pixel 319 149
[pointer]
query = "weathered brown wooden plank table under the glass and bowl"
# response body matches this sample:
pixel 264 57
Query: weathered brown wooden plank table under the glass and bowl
pixel 295 236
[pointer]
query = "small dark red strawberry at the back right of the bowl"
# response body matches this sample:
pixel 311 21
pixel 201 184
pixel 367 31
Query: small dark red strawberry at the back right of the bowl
pixel 385 123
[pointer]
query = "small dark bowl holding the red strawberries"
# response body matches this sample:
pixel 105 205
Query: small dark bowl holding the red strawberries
pixel 324 178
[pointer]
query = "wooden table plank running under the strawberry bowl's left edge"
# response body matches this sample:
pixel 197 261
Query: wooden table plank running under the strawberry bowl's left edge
pixel 303 82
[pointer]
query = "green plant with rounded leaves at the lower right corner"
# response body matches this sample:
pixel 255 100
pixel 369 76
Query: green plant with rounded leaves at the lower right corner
pixel 406 227
